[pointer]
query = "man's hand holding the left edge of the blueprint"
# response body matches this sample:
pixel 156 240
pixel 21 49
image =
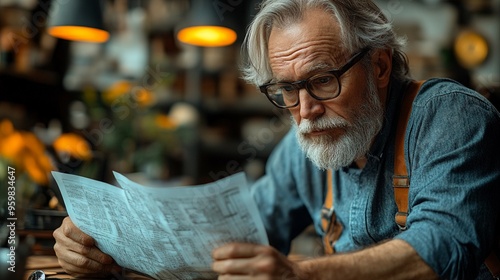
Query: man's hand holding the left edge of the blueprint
pixel 78 255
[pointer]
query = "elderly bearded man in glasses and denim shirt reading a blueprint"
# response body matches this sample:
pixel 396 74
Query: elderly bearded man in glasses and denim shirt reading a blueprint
pixel 337 66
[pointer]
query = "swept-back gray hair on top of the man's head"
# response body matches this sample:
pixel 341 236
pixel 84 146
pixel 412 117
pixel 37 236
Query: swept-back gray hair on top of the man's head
pixel 362 24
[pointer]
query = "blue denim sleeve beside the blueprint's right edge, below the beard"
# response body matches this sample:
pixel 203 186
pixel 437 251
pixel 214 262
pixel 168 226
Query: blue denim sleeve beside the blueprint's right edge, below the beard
pixel 281 206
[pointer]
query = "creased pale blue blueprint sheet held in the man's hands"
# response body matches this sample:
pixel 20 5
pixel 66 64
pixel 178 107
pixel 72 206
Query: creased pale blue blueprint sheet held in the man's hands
pixel 166 233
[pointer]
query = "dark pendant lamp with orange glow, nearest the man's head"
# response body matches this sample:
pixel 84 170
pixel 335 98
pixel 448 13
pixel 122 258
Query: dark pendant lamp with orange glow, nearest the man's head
pixel 206 26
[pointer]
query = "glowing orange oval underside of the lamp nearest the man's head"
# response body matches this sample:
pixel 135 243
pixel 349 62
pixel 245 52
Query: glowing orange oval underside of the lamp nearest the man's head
pixel 207 36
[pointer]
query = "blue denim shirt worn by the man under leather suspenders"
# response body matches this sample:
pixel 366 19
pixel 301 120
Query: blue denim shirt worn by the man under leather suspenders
pixel 452 152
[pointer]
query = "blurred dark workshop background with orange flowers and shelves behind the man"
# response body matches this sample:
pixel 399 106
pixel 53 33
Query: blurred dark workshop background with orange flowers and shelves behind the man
pixel 145 98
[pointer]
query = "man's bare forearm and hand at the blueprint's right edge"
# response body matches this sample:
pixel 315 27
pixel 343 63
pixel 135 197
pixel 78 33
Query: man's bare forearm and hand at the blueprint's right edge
pixel 394 259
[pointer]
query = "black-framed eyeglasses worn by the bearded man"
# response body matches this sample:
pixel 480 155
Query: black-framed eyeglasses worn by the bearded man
pixel 323 86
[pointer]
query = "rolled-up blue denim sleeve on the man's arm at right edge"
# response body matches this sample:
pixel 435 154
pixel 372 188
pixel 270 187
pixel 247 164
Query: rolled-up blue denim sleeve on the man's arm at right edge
pixel 453 152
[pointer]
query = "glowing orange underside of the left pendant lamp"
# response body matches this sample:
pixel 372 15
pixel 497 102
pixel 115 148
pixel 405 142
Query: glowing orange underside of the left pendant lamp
pixel 79 33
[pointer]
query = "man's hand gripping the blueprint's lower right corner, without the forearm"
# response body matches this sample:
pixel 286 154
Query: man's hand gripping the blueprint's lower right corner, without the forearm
pixel 251 261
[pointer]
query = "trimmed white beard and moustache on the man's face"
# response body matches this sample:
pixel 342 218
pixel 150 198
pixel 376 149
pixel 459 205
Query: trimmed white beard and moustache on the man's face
pixel 330 152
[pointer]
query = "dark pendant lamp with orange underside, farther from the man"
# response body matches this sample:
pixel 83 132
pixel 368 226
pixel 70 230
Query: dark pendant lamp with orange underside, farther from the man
pixel 77 20
